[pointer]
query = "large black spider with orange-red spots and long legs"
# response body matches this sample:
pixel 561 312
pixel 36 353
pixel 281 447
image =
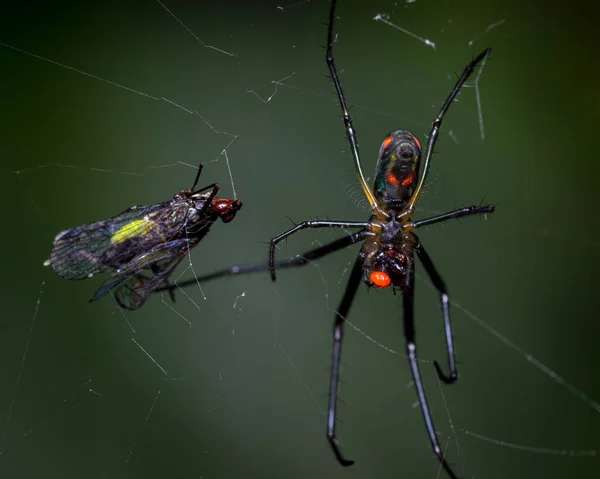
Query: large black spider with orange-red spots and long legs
pixel 389 244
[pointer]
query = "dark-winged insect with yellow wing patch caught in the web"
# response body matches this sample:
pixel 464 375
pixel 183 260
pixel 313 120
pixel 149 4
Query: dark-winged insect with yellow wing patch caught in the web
pixel 140 247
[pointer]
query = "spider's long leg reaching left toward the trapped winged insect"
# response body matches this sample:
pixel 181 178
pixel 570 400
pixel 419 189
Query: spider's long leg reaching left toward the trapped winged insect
pixel 299 260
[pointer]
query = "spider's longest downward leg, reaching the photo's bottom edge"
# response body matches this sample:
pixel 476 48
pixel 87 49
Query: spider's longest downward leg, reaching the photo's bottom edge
pixel 411 353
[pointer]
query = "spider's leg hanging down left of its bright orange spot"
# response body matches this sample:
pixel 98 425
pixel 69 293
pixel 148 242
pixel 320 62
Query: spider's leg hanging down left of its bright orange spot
pixel 338 334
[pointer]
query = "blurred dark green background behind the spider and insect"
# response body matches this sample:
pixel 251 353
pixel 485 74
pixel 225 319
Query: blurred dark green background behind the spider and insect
pixel 246 385
